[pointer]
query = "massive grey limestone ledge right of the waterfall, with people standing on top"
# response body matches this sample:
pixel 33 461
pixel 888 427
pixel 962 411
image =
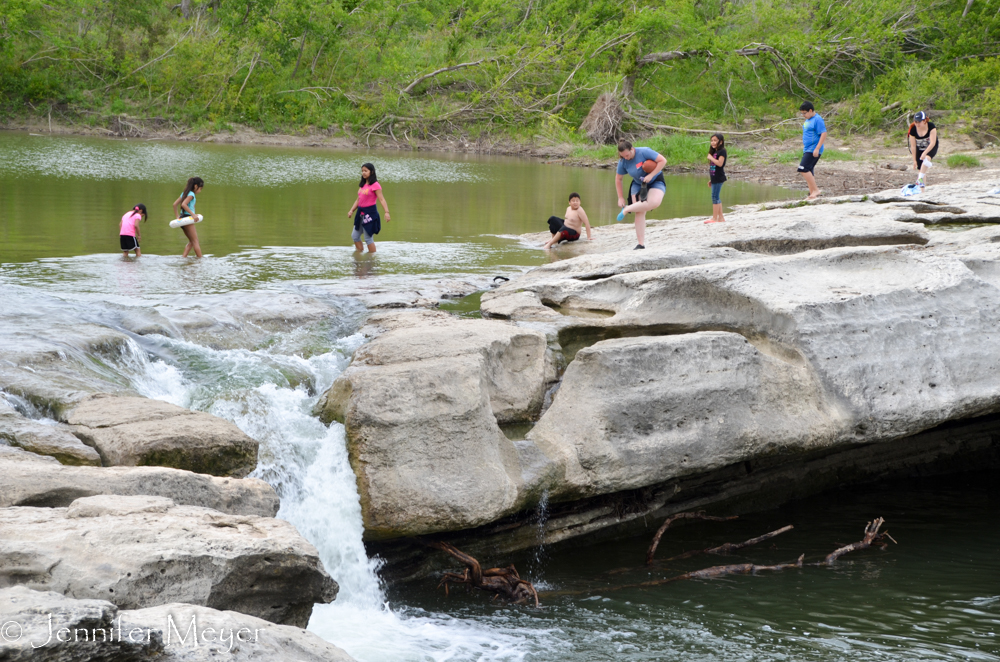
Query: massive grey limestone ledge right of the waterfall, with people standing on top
pixel 789 350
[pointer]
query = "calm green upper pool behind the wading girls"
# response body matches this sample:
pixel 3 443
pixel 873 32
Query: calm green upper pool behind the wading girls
pixel 62 197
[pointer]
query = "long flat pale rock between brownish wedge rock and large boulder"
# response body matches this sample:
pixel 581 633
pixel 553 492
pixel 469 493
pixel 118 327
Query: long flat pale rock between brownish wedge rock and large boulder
pixel 35 480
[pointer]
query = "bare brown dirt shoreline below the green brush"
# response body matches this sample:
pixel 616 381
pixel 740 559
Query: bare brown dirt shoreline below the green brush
pixel 860 166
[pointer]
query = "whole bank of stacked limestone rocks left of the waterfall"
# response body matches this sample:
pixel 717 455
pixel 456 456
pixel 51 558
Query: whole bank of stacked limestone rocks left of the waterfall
pixel 132 519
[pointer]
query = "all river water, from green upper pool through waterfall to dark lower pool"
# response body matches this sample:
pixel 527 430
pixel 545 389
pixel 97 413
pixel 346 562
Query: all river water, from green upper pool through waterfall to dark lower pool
pixel 276 223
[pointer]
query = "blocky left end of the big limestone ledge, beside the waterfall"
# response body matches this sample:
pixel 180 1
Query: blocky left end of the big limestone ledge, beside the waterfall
pixel 422 403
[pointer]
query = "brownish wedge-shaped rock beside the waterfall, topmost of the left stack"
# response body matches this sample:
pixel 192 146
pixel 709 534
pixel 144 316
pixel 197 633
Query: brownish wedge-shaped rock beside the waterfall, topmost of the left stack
pixel 134 431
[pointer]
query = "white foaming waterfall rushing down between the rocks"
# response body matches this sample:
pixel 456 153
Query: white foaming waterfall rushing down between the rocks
pixel 307 463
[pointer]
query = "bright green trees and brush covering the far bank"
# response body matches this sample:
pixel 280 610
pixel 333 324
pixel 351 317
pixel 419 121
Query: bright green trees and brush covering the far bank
pixel 530 65
